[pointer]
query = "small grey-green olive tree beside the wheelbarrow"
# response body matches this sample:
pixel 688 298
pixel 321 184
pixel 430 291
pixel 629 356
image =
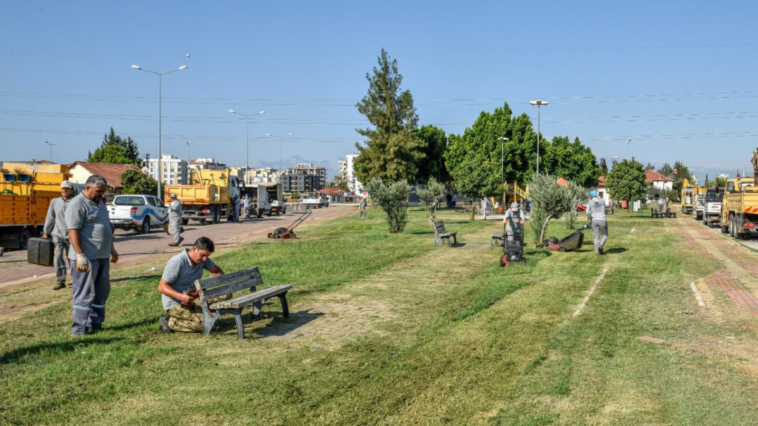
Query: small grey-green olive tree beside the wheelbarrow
pixel 550 200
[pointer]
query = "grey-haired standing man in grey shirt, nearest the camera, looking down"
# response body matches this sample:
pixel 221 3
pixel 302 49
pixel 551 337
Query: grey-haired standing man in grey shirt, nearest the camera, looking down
pixel 91 235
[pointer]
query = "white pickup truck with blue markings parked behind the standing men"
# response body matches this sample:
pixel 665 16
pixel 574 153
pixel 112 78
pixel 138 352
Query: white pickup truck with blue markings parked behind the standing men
pixel 137 212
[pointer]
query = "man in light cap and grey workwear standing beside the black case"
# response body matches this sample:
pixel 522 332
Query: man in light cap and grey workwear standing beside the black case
pixel 55 227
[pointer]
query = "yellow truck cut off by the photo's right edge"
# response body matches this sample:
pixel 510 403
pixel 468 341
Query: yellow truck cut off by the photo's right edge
pixel 739 208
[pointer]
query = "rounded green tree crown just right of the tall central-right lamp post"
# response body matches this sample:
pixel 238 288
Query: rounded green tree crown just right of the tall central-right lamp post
pixel 571 161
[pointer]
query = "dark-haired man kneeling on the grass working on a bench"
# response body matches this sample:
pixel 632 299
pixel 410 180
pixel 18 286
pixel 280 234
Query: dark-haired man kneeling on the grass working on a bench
pixel 179 279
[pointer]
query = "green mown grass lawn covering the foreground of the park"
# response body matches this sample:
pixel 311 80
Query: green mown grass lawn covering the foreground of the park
pixel 386 329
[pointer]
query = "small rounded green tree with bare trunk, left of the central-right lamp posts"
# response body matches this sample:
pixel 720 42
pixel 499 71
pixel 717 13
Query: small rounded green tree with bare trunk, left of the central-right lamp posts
pixel 477 177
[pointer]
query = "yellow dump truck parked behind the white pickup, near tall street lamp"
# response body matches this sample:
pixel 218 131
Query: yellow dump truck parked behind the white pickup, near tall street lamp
pixel 209 196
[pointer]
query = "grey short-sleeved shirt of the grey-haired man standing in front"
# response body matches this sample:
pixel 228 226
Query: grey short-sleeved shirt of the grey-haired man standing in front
pixel 95 230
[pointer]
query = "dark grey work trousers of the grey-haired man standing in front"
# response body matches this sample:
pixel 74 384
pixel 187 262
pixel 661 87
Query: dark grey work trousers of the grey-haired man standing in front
pixel 91 290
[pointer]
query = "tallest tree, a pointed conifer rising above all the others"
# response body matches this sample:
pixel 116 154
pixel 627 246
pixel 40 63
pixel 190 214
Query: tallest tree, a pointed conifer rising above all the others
pixel 392 151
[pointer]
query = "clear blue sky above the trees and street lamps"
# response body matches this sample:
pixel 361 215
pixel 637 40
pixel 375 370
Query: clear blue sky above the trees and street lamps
pixel 677 77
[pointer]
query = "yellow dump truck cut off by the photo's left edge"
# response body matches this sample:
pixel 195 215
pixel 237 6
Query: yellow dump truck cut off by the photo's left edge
pixel 25 194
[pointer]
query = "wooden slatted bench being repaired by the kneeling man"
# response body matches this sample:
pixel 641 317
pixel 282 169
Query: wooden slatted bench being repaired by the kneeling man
pixel 222 285
